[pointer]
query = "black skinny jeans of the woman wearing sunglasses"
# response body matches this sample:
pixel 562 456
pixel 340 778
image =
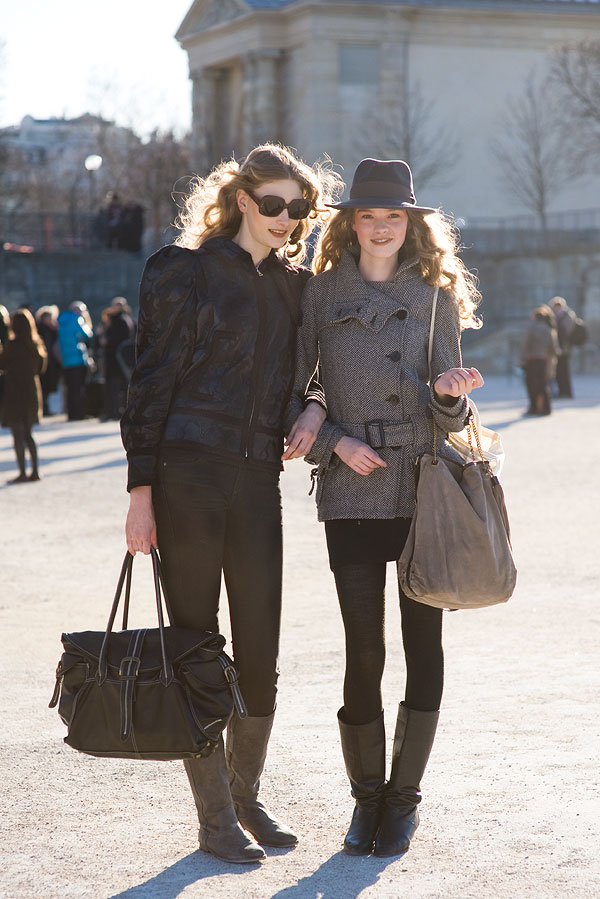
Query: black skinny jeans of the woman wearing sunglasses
pixel 218 516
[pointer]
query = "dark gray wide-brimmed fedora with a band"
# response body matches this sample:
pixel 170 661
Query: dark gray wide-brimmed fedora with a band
pixel 382 184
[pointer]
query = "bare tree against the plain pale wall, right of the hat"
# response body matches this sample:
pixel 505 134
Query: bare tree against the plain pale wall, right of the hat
pixel 531 151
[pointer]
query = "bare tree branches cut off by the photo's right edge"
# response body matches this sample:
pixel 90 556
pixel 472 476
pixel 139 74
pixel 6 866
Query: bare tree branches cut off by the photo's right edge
pixel 575 71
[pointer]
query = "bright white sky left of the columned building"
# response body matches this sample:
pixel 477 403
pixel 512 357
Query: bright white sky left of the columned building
pixel 114 57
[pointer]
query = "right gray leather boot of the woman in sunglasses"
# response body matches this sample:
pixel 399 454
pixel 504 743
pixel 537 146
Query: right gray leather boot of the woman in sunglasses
pixel 247 741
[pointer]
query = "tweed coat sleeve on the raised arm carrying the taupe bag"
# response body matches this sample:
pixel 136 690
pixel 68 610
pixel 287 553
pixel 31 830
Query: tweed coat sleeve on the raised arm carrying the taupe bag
pixel 446 355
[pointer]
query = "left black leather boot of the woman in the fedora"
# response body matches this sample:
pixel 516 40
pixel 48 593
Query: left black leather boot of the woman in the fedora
pixel 363 747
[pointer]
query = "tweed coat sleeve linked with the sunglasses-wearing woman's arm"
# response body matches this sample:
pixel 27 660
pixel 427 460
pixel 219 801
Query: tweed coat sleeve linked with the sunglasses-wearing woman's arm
pixel 305 382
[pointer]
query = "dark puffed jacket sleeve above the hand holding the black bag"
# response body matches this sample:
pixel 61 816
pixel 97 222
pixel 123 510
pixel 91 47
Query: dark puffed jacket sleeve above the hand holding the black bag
pixel 165 341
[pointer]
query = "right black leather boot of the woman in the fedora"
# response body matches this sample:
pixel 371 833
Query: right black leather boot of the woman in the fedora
pixel 415 732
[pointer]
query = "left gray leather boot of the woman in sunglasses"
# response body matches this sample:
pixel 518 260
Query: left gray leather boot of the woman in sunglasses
pixel 220 832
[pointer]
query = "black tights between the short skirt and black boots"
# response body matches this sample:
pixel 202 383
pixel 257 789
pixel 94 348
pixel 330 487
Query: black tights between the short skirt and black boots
pixel 361 592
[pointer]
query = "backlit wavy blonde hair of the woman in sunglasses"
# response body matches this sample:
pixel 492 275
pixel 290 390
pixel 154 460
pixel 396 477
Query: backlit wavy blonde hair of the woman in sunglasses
pixel 210 209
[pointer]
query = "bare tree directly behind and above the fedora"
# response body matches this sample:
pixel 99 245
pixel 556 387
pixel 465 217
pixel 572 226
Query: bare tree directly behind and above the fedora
pixel 414 131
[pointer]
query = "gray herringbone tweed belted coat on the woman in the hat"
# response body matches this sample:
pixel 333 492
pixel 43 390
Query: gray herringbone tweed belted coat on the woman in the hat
pixel 370 340
